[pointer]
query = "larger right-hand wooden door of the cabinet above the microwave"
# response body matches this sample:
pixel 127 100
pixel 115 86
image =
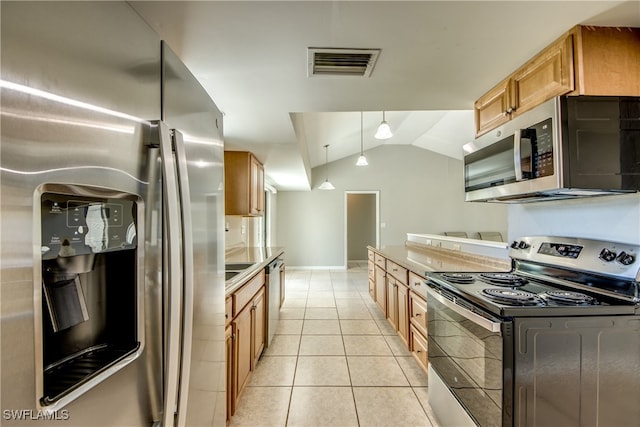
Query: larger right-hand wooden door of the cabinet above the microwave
pixel 547 75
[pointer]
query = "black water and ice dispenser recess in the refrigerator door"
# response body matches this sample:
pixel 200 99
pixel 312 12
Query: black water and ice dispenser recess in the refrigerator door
pixel 90 301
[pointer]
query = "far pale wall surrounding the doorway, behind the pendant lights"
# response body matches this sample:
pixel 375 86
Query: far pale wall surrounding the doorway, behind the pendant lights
pixel 420 192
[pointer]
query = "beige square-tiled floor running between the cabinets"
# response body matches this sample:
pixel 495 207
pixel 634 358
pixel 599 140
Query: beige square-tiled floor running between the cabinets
pixel 334 361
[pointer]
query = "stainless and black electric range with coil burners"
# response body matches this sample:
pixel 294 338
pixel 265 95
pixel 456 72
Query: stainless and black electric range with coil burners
pixel 563 325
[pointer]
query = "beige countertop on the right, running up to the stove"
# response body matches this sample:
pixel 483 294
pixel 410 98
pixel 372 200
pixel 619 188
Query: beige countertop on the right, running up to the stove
pixel 425 259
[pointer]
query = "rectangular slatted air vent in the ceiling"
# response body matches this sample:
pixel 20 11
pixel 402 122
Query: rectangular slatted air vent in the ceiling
pixel 341 62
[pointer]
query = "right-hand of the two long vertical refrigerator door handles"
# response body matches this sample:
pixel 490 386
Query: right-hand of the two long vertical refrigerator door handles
pixel 187 265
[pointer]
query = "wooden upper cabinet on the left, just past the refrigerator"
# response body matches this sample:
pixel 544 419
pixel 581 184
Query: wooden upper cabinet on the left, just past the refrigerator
pixel 244 184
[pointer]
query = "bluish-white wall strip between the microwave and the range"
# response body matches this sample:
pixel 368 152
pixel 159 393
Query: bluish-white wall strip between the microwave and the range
pixel 613 218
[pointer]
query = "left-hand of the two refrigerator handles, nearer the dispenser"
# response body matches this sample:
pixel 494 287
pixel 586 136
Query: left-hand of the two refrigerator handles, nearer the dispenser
pixel 173 231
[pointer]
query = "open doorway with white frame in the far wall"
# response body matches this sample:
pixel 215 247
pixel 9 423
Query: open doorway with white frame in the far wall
pixel 362 225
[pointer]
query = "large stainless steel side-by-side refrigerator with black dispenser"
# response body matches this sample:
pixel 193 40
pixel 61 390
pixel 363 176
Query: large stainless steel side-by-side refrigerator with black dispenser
pixel 111 173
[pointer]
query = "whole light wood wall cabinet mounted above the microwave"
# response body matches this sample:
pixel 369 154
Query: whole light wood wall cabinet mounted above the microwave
pixel 583 61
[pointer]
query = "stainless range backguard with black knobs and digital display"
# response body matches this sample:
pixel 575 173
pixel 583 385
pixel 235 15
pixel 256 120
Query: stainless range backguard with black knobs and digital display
pixel 597 256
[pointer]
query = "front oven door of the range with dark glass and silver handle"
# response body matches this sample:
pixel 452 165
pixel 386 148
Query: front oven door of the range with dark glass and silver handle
pixel 467 350
